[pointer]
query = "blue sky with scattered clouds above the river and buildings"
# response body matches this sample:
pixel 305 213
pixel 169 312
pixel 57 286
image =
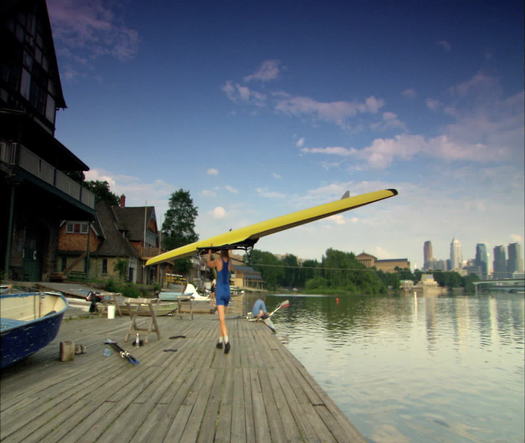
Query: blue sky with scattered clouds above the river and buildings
pixel 263 108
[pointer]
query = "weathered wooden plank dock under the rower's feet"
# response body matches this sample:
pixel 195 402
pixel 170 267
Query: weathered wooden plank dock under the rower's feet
pixel 257 393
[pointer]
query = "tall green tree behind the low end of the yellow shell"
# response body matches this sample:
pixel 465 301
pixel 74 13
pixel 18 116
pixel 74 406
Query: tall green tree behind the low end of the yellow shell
pixel 178 228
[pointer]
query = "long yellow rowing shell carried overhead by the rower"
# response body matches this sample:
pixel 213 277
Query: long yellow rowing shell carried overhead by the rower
pixel 248 236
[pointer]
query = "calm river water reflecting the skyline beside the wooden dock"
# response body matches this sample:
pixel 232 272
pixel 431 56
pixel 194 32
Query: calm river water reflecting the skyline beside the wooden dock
pixel 415 369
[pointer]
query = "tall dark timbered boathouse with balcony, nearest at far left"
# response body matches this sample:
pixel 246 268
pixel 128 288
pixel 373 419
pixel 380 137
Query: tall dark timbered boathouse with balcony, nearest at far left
pixel 40 178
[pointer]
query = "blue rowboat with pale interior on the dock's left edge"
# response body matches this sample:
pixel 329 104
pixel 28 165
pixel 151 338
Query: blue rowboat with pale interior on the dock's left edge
pixel 28 322
